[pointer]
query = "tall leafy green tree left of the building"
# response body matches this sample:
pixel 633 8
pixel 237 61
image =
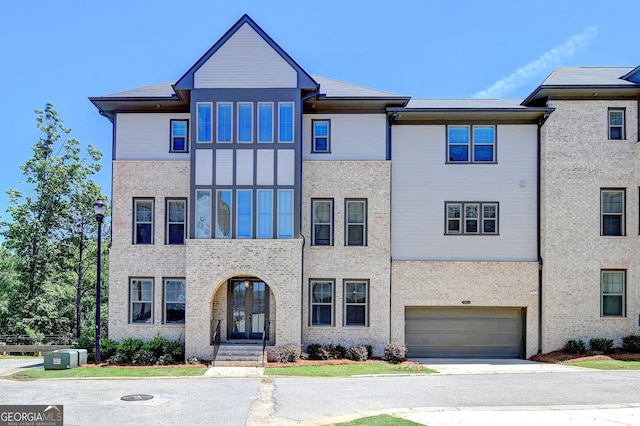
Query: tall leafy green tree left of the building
pixel 49 231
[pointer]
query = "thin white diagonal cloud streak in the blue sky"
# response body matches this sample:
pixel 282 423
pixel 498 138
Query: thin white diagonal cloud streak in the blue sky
pixel 544 63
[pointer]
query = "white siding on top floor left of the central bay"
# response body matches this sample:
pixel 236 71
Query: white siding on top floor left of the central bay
pixel 145 137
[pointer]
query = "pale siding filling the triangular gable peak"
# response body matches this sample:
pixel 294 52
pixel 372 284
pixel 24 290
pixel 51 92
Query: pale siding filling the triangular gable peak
pixel 245 60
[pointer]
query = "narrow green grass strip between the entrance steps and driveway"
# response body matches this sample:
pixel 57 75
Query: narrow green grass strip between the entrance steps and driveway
pixel 346 370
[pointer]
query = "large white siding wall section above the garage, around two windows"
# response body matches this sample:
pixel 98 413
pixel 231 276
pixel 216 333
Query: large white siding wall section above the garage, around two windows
pixel 422 182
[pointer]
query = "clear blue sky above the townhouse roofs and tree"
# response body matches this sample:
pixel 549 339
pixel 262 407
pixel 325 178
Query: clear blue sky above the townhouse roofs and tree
pixel 68 50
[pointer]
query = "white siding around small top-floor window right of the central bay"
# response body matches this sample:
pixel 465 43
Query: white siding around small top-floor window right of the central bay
pixel 353 137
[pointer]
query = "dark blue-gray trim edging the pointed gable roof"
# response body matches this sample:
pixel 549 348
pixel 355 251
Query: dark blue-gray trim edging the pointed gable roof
pixel 187 80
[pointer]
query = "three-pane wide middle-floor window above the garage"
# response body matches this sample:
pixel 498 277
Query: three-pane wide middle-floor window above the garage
pixel 471 218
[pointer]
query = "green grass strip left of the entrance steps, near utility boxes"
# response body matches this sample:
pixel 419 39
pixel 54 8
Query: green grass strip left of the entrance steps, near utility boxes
pixel 168 371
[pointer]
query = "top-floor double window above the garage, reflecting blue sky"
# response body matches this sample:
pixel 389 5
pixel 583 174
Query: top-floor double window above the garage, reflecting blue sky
pixel 471 144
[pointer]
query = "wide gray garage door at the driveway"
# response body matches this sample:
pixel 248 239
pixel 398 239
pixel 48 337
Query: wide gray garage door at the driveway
pixel 464 332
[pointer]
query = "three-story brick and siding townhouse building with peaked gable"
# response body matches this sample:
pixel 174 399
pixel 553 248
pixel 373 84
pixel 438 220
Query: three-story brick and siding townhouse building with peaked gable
pixel 251 199
